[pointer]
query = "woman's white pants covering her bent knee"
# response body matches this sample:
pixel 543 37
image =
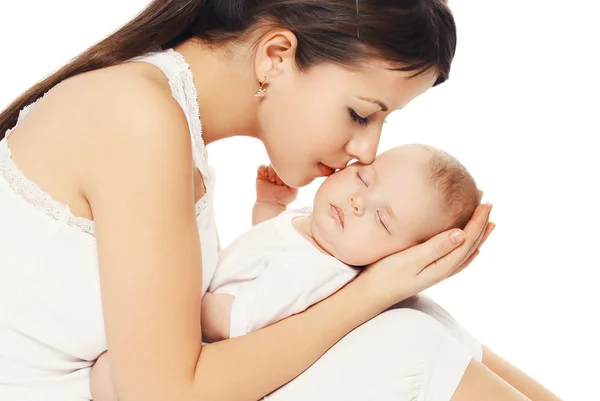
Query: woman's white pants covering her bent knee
pixel 414 352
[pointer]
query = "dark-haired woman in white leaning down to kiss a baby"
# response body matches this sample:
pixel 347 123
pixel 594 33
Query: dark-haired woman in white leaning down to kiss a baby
pixel 107 232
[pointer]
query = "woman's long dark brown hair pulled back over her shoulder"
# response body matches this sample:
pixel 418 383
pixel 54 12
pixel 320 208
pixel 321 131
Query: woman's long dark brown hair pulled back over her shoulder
pixel 417 35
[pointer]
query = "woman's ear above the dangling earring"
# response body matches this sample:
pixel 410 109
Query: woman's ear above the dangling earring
pixel 275 55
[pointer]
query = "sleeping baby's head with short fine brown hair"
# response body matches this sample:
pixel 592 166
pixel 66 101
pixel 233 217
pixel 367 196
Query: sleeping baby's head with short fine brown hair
pixel 406 196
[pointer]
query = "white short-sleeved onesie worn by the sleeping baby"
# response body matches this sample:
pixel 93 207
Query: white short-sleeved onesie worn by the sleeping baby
pixel 274 272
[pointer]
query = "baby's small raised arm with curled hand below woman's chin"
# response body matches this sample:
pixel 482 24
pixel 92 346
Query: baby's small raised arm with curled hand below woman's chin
pixel 272 195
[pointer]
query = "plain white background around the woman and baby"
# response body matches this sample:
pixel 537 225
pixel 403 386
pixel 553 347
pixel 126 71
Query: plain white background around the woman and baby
pixel 520 111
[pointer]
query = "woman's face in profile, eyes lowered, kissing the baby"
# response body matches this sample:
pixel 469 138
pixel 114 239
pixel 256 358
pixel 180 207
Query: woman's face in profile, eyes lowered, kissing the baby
pixel 314 122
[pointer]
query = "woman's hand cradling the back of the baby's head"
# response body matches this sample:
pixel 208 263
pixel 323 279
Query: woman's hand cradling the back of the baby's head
pixel 402 275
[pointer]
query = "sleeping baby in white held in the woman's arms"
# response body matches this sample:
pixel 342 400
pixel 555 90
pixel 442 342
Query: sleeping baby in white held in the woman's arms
pixel 291 260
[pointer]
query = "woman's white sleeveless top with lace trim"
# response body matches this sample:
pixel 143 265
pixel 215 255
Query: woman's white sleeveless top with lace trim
pixel 51 323
